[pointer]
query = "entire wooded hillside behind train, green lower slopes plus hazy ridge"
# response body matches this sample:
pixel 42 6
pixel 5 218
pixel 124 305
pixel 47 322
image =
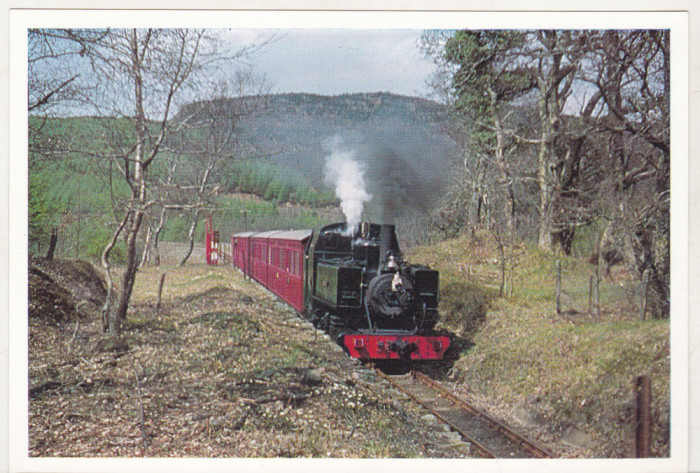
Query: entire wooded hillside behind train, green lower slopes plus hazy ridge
pixel 277 156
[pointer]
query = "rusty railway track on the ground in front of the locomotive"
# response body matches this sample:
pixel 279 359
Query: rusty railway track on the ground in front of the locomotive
pixel 487 437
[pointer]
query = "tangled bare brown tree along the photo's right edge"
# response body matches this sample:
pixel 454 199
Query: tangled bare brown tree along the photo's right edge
pixel 631 72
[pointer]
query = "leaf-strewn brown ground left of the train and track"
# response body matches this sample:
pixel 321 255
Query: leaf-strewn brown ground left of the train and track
pixel 222 370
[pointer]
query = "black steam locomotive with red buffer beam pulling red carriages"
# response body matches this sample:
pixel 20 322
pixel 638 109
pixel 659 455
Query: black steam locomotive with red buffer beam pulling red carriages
pixel 354 285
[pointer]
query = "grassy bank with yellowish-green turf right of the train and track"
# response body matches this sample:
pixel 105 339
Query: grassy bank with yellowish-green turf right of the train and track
pixel 568 376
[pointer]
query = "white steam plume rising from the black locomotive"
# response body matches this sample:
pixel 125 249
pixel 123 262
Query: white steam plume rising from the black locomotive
pixel 346 174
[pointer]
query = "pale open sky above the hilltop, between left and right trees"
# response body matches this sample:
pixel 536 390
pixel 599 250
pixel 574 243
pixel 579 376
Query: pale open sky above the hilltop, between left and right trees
pixel 337 61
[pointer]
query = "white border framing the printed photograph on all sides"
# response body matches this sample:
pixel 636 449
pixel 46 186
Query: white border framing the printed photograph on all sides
pixel 21 19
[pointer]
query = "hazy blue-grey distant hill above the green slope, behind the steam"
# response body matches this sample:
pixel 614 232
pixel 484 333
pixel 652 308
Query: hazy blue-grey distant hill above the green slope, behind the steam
pixel 296 130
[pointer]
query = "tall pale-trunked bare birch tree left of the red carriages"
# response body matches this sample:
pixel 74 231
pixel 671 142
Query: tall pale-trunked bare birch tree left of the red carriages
pixel 136 78
